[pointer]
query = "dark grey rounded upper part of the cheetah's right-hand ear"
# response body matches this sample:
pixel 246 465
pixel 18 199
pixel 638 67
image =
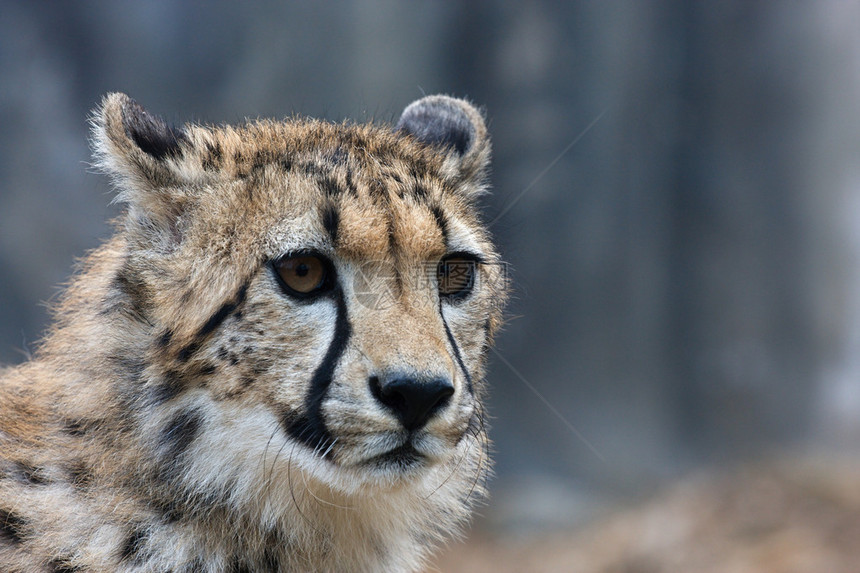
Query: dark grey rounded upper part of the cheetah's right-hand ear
pixel 440 121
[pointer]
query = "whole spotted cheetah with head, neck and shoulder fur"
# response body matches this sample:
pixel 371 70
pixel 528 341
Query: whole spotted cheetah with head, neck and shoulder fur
pixel 276 363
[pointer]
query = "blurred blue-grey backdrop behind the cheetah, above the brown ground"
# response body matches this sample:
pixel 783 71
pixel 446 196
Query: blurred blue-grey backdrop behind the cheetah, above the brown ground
pixel 677 191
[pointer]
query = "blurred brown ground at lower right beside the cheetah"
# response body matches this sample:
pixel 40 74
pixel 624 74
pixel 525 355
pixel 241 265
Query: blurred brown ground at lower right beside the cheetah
pixel 778 517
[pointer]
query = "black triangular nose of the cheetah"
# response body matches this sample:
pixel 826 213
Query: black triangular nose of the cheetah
pixel 413 400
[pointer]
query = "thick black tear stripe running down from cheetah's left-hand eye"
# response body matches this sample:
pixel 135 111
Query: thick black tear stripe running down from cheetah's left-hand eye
pixel 309 429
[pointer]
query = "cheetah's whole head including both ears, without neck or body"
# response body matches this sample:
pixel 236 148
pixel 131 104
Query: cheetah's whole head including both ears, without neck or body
pixel 323 294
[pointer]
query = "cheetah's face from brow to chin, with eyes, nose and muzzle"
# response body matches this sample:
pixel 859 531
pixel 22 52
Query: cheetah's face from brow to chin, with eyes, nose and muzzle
pixel 386 384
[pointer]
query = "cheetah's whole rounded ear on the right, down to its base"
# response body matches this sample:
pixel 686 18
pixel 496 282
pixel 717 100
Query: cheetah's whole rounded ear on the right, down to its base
pixel 454 127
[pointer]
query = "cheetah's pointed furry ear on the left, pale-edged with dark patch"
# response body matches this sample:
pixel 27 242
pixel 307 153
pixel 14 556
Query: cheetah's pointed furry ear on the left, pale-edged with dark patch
pixel 143 155
